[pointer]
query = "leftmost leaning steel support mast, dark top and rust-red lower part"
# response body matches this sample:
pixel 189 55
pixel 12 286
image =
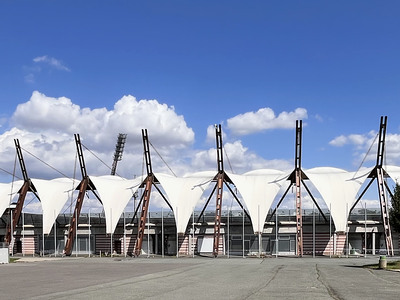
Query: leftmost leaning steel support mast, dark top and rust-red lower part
pixel 26 187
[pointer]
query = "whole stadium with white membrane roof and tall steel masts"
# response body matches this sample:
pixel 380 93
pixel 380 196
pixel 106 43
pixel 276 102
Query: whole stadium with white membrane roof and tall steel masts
pixel 211 213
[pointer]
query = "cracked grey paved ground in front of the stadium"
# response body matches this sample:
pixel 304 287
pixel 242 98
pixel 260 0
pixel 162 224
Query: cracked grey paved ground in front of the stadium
pixel 197 278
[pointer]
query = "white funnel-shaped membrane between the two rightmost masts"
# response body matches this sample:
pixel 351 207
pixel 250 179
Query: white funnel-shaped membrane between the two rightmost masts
pixel 338 189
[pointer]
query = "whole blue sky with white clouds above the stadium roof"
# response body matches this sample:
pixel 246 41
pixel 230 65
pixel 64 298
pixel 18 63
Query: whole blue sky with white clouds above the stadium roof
pixel 253 66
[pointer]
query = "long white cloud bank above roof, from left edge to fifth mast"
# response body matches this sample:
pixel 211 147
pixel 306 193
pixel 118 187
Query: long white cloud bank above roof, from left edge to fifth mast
pixel 46 126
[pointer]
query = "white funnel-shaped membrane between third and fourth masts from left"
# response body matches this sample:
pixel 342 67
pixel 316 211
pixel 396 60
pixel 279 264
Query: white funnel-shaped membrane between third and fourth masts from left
pixel 183 193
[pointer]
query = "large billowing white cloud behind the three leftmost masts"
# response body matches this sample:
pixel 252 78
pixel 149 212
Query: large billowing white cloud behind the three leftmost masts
pixel 46 127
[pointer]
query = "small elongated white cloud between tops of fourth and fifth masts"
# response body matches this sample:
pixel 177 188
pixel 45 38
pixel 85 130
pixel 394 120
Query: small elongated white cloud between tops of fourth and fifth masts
pixel 264 119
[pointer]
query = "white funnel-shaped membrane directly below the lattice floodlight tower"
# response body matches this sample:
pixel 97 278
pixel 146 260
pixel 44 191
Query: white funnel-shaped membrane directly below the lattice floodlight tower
pixel 115 193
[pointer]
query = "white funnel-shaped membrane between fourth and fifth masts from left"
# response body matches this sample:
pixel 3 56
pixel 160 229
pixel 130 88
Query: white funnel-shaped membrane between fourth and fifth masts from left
pixel 258 189
